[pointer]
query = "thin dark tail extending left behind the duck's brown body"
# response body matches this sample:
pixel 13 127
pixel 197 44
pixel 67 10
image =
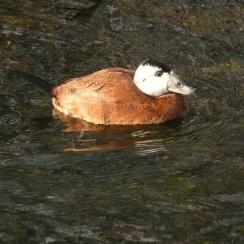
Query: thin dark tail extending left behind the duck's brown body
pixel 39 82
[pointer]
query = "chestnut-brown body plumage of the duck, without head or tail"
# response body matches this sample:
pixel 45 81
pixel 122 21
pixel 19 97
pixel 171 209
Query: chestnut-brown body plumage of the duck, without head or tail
pixel 109 96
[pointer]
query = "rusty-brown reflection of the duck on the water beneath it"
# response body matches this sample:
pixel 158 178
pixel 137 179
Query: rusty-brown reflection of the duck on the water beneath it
pixel 142 139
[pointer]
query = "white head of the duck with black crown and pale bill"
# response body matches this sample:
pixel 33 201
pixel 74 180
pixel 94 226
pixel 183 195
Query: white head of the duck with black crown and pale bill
pixel 155 79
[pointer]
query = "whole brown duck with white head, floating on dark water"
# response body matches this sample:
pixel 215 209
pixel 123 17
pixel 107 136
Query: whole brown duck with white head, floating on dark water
pixel 151 94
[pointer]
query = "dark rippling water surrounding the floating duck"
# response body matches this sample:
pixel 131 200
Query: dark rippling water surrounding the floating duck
pixel 63 181
